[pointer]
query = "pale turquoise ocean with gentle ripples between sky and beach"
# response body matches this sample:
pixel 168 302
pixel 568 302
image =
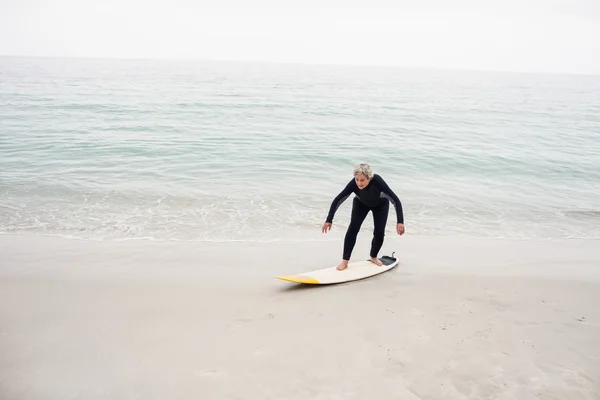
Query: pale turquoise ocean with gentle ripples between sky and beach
pixel 227 151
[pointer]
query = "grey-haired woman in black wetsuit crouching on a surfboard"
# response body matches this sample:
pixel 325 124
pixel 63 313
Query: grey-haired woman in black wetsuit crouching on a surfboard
pixel 372 194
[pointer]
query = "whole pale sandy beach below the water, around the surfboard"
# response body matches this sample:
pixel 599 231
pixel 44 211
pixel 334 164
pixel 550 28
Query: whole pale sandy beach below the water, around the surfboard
pixel 457 319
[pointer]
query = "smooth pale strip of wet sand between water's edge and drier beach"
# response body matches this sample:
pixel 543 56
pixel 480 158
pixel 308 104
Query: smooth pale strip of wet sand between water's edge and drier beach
pixel 25 255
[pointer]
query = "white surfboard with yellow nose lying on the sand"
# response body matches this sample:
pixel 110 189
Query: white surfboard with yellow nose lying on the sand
pixel 355 271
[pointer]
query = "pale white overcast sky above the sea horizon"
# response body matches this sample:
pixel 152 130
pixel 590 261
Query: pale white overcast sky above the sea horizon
pixel 505 35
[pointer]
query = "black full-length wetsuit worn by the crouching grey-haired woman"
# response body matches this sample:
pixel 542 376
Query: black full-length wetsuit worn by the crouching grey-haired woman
pixel 376 197
